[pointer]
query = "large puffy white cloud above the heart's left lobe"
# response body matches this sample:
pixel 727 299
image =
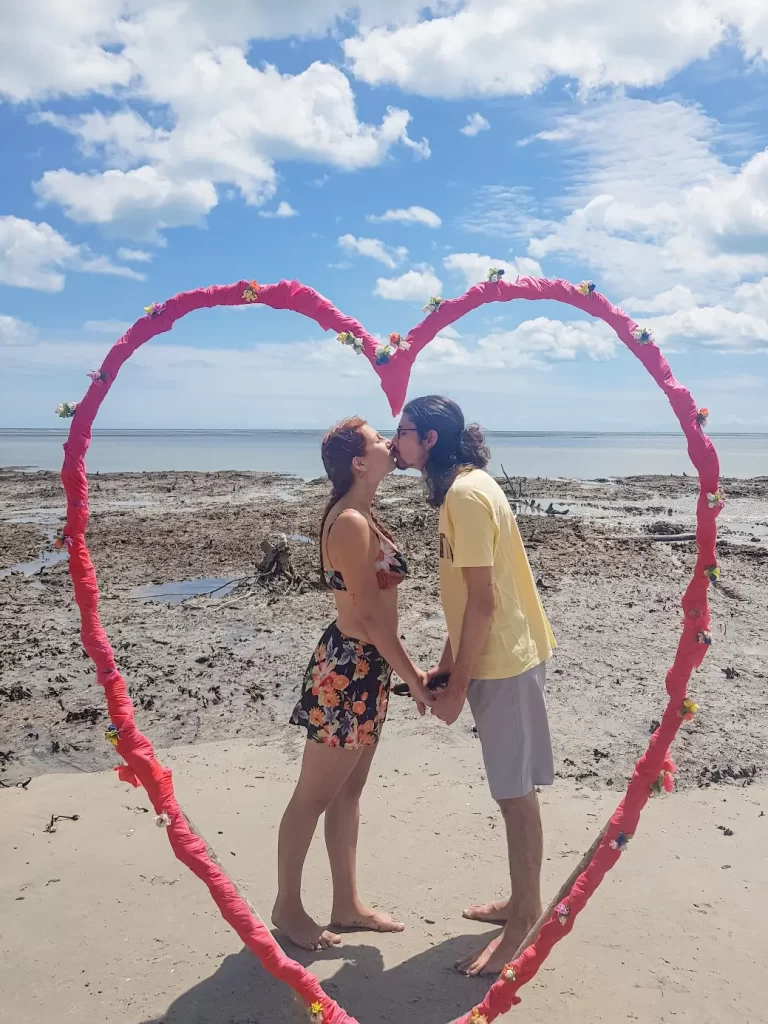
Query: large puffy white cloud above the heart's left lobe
pixel 230 124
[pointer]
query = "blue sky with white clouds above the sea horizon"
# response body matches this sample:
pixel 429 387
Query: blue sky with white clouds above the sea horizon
pixel 386 154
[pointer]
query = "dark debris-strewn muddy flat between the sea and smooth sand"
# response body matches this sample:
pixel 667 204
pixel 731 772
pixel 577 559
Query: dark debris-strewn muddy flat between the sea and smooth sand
pixel 229 665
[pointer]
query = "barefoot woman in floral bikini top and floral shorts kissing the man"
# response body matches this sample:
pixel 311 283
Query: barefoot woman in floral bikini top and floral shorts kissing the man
pixel 347 688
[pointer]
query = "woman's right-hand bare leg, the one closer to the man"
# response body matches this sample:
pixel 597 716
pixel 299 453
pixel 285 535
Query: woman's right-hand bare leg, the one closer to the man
pixel 343 827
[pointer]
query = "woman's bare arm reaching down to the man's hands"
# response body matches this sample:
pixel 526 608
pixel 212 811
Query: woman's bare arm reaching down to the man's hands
pixel 354 548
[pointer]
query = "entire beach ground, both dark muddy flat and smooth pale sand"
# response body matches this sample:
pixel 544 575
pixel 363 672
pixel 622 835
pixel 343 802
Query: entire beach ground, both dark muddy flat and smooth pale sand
pixel 125 933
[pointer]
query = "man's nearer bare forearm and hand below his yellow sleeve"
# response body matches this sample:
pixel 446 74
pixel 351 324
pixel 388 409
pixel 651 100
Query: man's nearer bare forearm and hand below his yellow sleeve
pixel 479 616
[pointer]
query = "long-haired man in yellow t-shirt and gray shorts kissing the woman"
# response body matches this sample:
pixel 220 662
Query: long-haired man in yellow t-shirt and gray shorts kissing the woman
pixel 498 646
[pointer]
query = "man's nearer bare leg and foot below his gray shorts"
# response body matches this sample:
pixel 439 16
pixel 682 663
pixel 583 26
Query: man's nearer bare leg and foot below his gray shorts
pixel 526 846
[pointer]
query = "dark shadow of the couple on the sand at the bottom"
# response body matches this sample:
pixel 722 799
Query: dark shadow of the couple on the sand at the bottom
pixel 424 990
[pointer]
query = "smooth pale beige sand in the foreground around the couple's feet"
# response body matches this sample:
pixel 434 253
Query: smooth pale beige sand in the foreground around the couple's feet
pixel 102 924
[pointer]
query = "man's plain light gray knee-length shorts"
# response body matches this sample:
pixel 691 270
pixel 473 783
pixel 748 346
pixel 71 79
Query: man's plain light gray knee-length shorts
pixel 513 724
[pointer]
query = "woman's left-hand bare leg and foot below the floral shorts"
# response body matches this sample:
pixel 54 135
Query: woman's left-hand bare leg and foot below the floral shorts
pixel 324 773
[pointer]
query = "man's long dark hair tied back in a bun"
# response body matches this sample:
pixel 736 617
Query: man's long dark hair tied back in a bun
pixel 458 447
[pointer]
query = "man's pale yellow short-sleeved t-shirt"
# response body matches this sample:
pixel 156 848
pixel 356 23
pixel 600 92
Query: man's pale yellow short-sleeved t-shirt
pixel 478 529
